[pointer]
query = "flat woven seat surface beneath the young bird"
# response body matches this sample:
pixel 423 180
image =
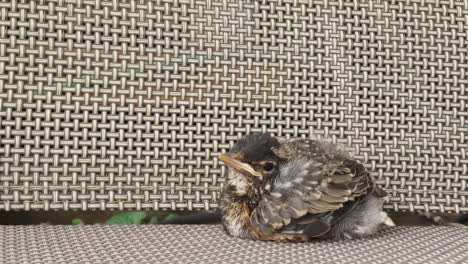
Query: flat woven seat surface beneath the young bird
pixel 209 244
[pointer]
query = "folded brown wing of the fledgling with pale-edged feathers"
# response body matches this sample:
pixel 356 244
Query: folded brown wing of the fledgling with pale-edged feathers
pixel 312 186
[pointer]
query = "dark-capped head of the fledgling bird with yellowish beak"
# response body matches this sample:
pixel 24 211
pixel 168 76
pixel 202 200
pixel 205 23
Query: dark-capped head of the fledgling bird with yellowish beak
pixel 252 159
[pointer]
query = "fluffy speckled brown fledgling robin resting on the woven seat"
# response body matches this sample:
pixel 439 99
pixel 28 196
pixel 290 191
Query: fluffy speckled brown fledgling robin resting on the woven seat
pixel 296 190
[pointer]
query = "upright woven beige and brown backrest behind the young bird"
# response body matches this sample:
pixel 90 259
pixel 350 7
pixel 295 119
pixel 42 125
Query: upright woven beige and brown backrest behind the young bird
pixel 126 104
